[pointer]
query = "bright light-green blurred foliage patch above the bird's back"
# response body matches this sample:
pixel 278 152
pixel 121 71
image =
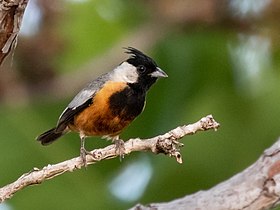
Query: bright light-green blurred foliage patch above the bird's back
pixel 92 27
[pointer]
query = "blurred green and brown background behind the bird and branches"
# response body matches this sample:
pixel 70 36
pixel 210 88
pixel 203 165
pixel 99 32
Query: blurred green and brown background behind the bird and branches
pixel 222 58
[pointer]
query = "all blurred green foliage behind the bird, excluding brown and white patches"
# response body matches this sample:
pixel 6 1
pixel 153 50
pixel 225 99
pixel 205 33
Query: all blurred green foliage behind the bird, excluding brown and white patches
pixel 201 81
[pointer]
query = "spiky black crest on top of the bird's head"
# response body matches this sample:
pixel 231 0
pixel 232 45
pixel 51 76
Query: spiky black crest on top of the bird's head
pixel 139 58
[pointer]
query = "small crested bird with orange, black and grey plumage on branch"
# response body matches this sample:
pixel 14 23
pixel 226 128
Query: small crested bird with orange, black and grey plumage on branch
pixel 109 103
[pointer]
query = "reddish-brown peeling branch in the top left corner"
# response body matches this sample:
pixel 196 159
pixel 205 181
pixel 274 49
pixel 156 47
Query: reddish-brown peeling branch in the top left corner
pixel 11 14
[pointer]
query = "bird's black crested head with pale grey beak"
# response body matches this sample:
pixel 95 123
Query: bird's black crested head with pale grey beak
pixel 147 68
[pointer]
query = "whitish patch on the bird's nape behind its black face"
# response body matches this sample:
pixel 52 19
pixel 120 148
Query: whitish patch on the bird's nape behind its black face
pixel 125 73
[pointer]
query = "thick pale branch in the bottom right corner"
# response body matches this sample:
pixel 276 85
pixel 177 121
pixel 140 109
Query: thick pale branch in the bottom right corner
pixel 257 187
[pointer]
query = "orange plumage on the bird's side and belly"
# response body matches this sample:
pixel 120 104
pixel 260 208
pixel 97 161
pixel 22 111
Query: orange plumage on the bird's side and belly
pixel 98 119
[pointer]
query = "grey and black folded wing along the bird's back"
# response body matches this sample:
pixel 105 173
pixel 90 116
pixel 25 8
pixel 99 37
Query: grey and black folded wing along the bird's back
pixel 82 100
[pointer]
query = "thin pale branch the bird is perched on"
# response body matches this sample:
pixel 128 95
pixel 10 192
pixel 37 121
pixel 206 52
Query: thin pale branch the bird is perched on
pixel 167 144
